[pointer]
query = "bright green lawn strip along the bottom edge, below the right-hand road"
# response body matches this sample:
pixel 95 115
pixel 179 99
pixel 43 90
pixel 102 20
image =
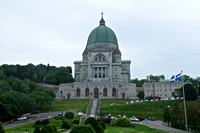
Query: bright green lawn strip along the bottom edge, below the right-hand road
pixel 138 128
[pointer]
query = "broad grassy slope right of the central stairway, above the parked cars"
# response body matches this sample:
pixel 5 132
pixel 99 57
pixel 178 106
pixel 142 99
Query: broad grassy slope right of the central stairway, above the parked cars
pixel 147 109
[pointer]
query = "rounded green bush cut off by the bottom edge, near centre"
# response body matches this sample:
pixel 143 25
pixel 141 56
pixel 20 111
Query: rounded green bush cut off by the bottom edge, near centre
pixel 82 129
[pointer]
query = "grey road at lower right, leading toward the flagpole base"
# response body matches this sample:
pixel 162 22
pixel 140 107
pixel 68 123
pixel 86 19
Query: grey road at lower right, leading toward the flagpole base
pixel 160 126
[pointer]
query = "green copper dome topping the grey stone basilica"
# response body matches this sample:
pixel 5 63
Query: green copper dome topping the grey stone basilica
pixel 102 34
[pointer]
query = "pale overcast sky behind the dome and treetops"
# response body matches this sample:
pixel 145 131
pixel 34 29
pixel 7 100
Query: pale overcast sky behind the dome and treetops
pixel 158 36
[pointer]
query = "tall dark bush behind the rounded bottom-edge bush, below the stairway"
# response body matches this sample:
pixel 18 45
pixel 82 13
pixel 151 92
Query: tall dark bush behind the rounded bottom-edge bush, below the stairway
pixel 97 127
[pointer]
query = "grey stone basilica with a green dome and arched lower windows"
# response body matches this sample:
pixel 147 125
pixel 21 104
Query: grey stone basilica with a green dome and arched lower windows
pixel 101 73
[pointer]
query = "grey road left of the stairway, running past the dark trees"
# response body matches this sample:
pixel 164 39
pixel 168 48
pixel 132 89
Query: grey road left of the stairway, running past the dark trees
pixel 34 117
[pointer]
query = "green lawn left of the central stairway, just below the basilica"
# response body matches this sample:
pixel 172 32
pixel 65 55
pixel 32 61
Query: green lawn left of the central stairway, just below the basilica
pixel 72 104
